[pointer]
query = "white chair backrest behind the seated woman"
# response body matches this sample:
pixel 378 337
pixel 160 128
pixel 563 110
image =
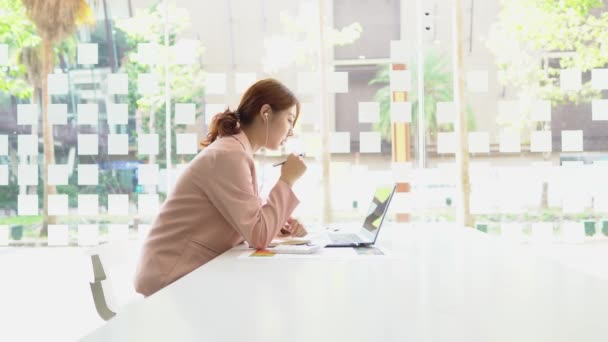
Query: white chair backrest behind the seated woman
pixel 113 266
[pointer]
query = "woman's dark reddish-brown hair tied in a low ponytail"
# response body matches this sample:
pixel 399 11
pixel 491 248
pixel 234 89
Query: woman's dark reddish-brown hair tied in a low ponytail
pixel 267 91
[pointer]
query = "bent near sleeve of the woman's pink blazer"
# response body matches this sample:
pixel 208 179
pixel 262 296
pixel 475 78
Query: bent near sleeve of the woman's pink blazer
pixel 230 188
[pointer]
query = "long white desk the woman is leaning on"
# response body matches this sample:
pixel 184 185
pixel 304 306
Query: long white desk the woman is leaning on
pixel 441 285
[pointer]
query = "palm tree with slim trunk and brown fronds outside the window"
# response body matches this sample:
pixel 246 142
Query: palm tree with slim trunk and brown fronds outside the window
pixel 54 20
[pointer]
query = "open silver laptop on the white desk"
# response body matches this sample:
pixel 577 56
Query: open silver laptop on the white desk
pixel 367 235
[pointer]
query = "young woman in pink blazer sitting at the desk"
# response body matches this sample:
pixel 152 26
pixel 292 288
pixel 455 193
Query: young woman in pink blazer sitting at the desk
pixel 215 205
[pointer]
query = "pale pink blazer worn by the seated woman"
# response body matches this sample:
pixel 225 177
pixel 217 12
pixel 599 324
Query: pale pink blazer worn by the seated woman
pixel 213 207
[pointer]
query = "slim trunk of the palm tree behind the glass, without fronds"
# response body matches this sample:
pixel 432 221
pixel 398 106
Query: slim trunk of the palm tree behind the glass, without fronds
pixel 48 145
